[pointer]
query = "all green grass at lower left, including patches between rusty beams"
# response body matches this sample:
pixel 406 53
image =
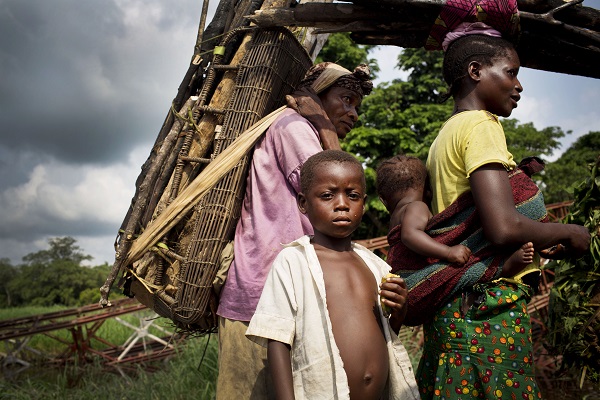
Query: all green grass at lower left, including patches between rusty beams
pixel 188 374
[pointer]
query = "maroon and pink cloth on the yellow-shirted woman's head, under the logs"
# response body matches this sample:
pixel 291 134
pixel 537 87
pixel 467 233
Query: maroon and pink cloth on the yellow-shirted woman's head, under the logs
pixel 466 17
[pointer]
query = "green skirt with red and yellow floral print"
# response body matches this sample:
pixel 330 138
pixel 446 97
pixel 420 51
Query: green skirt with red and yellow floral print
pixel 481 351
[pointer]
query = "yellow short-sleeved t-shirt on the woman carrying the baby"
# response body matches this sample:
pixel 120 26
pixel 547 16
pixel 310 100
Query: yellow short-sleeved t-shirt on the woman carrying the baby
pixel 467 141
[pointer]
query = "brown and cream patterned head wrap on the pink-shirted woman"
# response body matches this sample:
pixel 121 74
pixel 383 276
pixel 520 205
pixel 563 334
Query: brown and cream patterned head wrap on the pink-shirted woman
pixel 327 74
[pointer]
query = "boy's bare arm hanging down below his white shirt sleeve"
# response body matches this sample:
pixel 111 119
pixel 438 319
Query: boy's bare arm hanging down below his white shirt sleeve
pixel 278 355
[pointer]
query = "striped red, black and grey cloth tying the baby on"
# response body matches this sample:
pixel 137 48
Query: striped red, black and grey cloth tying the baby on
pixel 433 282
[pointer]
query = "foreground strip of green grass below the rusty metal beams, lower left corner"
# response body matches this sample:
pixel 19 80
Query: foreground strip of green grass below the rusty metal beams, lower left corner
pixel 182 376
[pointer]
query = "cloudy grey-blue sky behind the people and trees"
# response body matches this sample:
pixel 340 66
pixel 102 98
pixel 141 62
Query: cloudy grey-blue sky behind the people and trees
pixel 85 87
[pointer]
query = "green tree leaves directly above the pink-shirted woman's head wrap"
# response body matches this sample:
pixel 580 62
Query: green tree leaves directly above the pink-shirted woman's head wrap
pixel 342 50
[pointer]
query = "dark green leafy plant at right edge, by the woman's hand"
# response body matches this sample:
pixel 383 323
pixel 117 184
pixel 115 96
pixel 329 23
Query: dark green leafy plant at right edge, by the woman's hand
pixel 574 317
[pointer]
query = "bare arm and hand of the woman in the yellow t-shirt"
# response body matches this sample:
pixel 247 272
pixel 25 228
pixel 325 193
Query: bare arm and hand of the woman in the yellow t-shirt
pixel 503 225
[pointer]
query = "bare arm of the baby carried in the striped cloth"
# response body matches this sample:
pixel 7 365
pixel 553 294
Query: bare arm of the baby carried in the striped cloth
pixel 413 234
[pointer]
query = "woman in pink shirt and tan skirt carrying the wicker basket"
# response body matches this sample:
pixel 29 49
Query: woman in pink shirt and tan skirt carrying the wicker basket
pixel 270 215
